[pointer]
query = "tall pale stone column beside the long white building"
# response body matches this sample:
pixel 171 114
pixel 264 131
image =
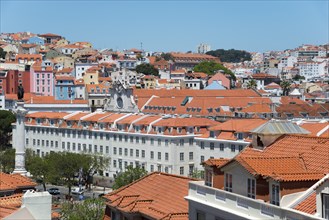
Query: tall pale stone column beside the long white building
pixel 19 139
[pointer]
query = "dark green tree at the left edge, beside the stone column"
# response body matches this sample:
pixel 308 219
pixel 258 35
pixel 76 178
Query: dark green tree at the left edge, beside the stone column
pixel 6 119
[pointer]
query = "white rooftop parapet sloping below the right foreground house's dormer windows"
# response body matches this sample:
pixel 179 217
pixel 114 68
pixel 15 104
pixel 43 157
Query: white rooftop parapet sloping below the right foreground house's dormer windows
pixel 220 203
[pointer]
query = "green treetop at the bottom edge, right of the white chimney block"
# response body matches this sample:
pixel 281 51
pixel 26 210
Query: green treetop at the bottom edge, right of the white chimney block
pixel 85 210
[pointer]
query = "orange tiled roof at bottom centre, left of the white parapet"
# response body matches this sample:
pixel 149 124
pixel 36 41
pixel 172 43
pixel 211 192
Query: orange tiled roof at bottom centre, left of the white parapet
pixel 157 195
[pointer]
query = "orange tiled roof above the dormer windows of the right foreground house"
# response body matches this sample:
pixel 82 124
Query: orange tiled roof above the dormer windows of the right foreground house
pixel 289 158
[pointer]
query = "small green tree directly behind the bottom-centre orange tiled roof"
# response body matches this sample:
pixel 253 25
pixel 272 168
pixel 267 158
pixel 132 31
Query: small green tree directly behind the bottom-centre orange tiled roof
pixel 130 175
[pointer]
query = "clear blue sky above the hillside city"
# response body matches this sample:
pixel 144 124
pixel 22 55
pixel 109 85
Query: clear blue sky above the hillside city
pixel 174 25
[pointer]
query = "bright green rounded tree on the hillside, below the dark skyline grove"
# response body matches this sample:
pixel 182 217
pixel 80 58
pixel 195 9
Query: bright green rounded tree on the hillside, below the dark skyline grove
pixel 210 68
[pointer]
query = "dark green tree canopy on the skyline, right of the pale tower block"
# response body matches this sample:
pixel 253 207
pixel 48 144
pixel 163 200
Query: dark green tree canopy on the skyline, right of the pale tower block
pixel 231 56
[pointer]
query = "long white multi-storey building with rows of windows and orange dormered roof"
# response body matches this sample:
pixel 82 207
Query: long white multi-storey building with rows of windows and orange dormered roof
pixel 166 144
